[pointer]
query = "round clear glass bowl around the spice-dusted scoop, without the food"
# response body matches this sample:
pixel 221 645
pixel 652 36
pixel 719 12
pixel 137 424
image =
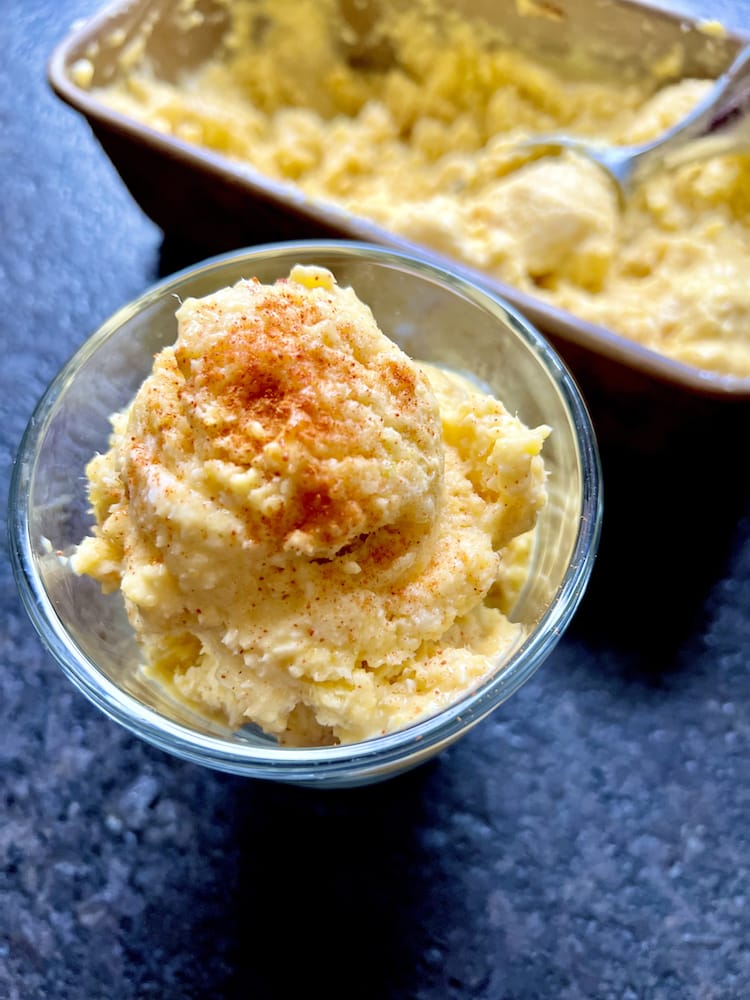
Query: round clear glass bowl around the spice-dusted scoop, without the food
pixel 434 316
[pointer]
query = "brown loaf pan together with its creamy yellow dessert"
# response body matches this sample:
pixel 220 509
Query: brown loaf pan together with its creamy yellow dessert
pixel 402 122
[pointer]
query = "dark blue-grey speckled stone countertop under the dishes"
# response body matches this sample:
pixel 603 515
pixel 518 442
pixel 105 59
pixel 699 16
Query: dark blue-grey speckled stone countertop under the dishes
pixel 590 840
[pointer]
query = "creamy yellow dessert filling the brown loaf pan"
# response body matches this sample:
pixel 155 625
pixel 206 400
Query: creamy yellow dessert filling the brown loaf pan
pixel 415 123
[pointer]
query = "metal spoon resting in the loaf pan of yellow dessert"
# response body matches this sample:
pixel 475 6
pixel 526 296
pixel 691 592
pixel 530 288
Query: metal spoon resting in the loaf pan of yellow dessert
pixel 718 124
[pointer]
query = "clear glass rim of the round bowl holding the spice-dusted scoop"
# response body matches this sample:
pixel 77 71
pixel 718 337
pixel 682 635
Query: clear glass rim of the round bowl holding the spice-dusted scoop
pixel 318 763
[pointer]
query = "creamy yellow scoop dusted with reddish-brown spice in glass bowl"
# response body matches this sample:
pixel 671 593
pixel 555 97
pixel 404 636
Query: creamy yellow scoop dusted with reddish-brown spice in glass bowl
pixel 312 532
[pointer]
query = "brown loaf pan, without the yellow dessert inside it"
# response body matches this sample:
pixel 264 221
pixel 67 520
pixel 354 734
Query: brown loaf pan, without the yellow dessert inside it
pixel 236 206
